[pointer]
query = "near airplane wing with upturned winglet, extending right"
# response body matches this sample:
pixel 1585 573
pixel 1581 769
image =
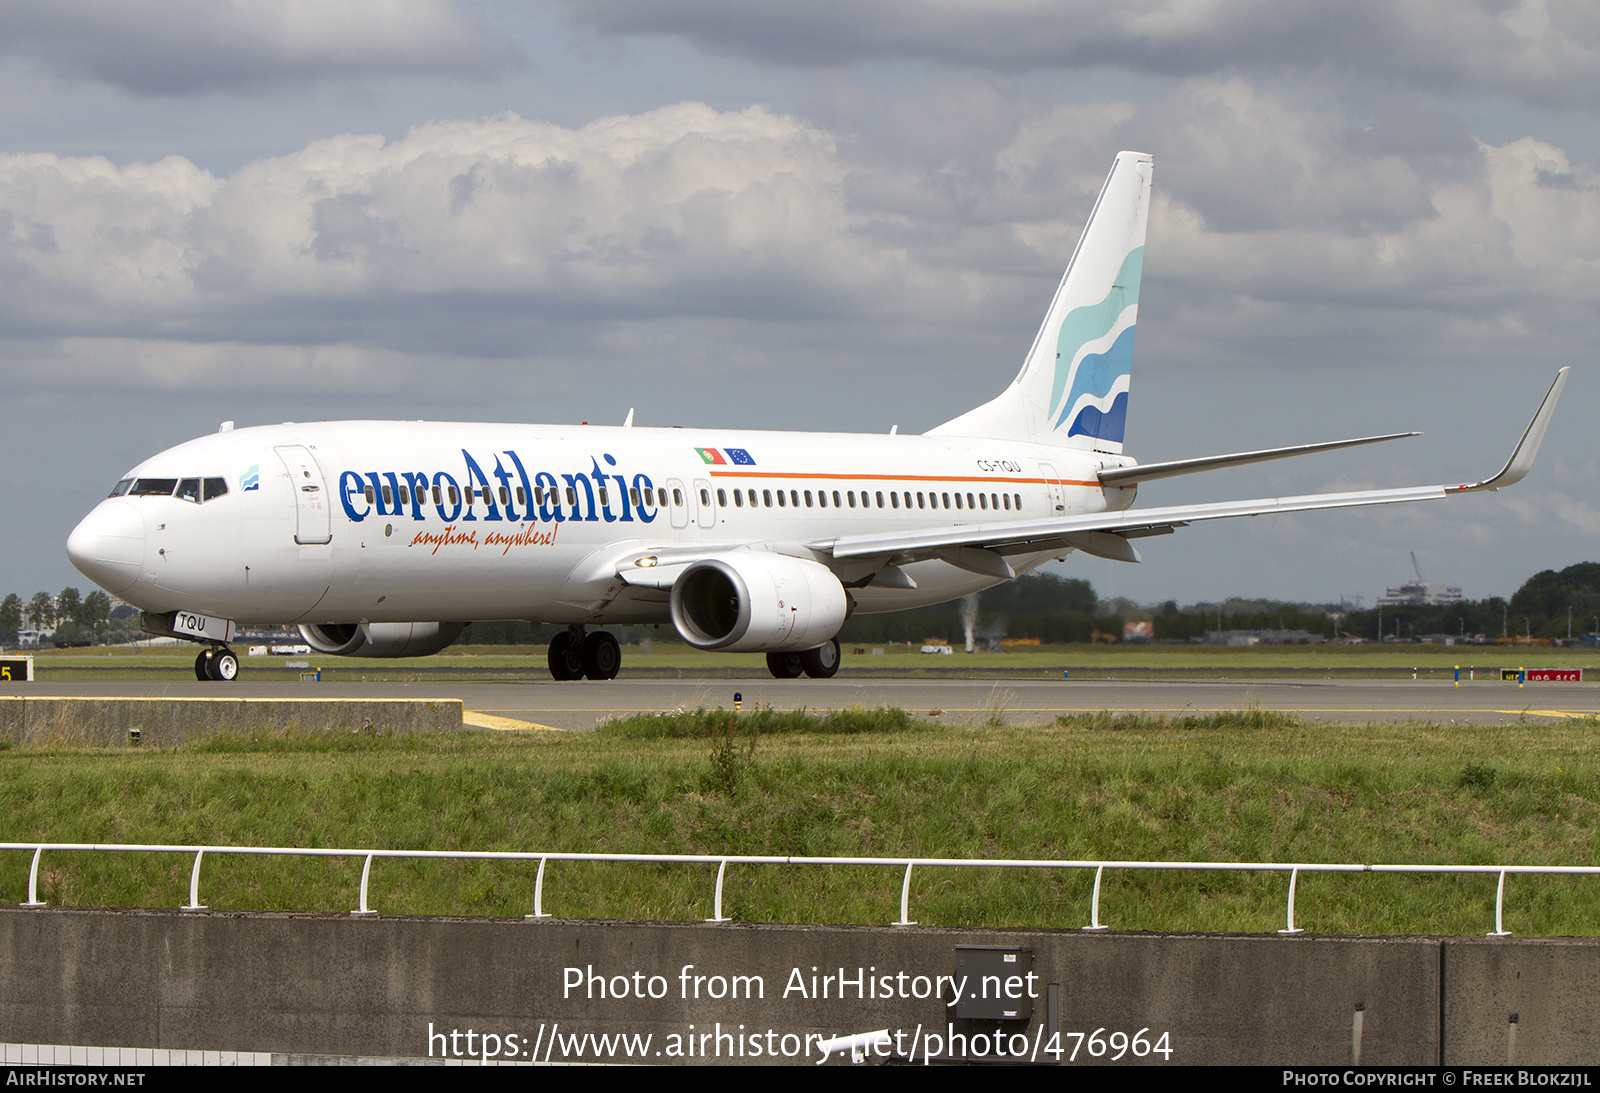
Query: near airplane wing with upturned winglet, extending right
pixel 982 548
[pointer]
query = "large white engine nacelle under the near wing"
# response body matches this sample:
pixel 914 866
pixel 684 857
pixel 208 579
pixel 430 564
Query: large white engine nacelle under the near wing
pixel 758 603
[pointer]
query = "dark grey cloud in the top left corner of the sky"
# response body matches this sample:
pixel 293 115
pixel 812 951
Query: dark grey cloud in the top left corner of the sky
pixel 183 47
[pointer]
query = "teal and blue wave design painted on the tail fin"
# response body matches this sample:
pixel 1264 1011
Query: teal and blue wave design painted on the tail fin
pixel 1095 353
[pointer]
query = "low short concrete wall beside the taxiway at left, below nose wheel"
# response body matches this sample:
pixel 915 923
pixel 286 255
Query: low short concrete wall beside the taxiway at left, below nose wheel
pixel 174 721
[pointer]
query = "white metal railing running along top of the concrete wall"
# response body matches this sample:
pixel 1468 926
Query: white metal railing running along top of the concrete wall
pixel 722 862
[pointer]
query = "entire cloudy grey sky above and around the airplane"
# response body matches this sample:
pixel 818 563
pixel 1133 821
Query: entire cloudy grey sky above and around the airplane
pixel 1369 217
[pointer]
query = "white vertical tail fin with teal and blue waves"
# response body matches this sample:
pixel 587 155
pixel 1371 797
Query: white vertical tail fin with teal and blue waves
pixel 1074 385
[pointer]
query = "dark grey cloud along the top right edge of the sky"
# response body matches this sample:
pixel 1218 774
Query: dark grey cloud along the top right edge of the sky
pixel 1545 52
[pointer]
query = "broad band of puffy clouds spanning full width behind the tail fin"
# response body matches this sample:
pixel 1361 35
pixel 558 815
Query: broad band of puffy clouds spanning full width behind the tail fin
pixel 1276 225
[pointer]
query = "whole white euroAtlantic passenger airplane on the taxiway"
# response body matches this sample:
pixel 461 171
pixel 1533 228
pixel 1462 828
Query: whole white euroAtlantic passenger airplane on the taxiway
pixel 388 538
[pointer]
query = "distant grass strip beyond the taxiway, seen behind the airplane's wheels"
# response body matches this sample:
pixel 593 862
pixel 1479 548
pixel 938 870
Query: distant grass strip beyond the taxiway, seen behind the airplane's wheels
pixel 673 659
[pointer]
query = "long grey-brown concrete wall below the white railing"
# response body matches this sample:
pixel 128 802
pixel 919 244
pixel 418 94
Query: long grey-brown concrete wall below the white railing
pixel 338 985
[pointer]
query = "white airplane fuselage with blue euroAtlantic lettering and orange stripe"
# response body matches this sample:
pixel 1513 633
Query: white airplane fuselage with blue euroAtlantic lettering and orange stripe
pixel 370 521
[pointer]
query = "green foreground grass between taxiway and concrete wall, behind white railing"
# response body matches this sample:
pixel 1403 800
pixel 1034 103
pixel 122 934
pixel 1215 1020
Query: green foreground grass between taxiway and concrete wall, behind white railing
pixel 863 783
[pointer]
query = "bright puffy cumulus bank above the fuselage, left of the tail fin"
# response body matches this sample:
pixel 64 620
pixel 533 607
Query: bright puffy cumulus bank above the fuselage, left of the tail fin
pixel 473 231
